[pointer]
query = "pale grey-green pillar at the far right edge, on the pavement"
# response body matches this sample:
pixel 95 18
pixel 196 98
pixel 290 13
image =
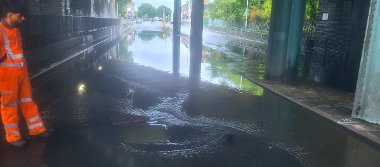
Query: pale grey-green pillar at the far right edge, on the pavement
pixel 367 99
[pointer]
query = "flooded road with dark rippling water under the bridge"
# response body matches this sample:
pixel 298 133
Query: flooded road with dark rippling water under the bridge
pixel 220 119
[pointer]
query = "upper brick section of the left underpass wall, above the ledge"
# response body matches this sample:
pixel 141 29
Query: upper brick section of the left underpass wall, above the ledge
pixel 50 21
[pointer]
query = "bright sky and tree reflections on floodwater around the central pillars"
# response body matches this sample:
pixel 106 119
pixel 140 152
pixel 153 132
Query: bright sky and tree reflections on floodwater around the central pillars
pixel 153 49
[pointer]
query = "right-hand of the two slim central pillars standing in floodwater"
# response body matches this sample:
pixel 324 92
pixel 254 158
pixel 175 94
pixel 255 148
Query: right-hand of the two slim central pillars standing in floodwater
pixel 196 40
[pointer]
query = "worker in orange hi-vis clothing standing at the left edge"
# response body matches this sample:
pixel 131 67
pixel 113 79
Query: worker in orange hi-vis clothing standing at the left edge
pixel 15 85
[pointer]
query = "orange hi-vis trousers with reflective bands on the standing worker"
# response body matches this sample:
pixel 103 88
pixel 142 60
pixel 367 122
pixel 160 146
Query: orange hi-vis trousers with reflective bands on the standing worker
pixel 16 91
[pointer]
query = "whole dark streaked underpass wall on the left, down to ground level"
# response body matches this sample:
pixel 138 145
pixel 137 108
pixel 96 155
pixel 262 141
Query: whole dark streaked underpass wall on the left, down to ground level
pixel 56 30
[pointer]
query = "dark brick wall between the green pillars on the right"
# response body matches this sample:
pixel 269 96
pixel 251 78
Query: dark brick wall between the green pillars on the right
pixel 338 42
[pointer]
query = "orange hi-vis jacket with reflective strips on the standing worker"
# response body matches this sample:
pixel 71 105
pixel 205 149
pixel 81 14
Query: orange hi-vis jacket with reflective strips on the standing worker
pixel 12 47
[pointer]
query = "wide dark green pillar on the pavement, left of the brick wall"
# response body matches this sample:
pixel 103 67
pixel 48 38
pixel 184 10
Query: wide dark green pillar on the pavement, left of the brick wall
pixel 284 37
